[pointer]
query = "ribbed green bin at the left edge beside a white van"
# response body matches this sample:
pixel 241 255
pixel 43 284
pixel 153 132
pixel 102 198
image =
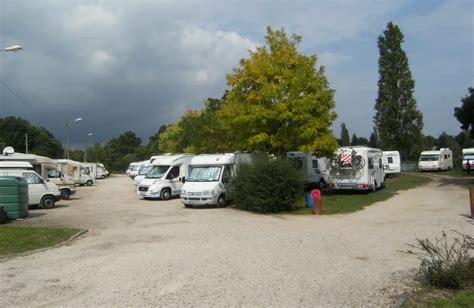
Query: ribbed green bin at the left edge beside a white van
pixel 14 196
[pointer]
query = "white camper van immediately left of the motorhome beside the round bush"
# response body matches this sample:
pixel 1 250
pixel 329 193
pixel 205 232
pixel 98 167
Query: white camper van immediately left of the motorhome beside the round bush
pixel 164 180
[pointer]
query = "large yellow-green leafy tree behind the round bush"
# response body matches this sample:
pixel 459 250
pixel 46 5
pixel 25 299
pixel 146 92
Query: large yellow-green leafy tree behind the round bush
pixel 278 100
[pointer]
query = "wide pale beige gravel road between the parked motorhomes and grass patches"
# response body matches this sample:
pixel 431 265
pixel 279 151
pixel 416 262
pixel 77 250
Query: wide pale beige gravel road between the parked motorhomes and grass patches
pixel 155 253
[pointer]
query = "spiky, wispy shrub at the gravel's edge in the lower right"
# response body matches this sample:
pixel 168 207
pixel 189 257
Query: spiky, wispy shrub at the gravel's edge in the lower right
pixel 444 264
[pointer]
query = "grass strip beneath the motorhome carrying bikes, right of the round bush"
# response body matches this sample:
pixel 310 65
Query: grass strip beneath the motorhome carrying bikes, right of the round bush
pixel 351 201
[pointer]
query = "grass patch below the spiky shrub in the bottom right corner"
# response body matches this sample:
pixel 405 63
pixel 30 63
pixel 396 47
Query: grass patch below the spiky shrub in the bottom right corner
pixel 440 298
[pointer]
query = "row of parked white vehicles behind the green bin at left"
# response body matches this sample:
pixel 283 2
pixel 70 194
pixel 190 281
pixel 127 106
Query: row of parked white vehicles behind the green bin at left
pixel 49 180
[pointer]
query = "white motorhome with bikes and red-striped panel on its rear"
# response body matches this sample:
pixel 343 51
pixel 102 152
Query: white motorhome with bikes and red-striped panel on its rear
pixel 357 168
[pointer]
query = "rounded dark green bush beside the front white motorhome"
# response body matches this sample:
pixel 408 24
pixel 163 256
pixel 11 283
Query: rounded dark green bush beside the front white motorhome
pixel 267 185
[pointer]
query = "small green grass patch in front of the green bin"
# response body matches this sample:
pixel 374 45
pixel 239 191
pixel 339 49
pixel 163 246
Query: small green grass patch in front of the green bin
pixel 15 239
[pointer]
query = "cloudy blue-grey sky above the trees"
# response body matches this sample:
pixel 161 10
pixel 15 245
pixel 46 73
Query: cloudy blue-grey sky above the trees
pixel 135 65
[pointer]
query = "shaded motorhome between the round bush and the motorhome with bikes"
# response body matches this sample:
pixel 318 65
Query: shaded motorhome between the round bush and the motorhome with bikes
pixel 315 169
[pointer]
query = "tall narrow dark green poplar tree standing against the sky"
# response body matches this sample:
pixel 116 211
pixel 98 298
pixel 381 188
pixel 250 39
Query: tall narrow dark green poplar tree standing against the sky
pixel 398 120
